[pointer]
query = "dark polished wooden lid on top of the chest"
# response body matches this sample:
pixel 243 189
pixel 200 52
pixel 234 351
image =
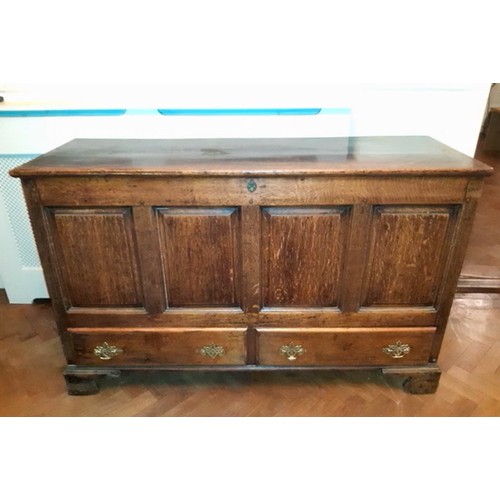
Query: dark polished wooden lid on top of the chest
pixel 253 157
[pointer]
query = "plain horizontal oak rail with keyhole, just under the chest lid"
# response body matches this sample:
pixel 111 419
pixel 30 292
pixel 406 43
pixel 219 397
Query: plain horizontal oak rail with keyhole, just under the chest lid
pixel 232 191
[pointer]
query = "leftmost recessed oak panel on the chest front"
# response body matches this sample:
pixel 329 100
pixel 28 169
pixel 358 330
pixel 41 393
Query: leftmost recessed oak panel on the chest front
pixel 96 255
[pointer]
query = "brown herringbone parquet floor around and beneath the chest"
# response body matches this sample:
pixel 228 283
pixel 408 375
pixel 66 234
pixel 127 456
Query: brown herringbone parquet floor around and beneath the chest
pixel 31 382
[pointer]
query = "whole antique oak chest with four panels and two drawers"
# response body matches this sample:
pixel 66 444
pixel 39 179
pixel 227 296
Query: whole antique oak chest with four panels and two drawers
pixel 251 254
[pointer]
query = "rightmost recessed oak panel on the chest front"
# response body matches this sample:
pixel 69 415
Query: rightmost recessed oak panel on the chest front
pixel 406 255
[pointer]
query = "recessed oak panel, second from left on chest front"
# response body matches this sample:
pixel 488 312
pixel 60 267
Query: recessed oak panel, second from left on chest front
pixel 201 257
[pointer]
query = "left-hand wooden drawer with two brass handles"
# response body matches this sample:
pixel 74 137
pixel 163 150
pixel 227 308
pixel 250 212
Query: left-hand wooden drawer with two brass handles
pixel 169 346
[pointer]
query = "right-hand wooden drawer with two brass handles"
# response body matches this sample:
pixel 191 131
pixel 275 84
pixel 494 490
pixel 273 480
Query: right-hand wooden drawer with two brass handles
pixel 344 346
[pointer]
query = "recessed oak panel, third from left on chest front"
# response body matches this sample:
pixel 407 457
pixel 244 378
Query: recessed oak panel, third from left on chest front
pixel 302 255
